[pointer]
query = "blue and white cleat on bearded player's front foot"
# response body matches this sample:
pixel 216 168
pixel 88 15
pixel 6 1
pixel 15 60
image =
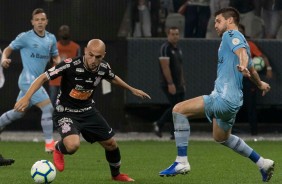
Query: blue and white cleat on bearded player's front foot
pixel 176 168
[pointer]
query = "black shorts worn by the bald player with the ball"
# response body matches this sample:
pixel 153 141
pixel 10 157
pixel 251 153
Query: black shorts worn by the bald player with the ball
pixel 91 124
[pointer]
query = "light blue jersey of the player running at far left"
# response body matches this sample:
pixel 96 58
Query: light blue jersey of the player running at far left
pixel 36 52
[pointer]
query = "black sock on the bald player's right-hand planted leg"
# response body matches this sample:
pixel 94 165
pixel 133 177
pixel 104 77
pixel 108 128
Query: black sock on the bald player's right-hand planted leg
pixel 113 157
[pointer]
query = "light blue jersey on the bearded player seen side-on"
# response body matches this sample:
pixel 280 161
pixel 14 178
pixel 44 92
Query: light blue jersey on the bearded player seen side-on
pixel 229 80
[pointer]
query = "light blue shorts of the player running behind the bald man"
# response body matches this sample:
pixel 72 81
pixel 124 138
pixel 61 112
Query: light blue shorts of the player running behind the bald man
pixel 39 96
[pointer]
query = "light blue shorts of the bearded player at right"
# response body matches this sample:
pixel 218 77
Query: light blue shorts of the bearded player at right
pixel 223 111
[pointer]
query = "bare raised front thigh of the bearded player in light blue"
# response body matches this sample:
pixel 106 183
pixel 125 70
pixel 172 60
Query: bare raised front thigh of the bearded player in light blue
pixel 192 108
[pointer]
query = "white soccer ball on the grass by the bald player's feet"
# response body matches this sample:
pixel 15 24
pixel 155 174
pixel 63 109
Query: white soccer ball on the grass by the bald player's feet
pixel 43 171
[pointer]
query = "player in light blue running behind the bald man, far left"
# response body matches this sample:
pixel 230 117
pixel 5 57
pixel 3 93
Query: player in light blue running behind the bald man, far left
pixel 36 47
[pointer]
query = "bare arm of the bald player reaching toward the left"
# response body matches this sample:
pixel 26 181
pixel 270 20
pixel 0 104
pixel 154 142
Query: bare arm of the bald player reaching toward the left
pixel 23 103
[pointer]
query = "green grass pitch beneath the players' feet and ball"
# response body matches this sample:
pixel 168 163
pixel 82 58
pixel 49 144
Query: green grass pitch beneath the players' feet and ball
pixel 142 160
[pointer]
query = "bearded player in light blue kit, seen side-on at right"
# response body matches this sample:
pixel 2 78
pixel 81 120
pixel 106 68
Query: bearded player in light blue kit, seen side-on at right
pixel 222 105
